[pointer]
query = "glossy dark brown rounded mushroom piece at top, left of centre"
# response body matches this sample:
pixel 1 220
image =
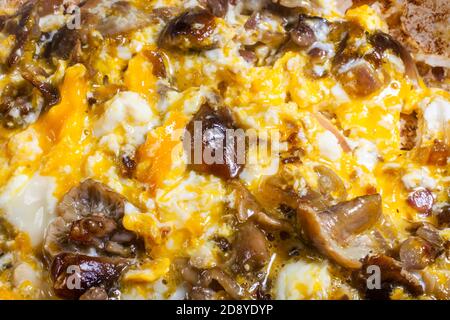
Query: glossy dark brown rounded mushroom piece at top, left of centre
pixel 192 30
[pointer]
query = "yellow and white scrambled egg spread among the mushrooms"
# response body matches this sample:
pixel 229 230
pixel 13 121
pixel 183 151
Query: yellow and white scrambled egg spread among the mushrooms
pixel 178 212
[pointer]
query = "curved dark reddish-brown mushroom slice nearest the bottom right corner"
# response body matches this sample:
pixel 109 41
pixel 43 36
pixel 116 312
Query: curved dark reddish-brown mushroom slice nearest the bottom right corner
pixel 391 271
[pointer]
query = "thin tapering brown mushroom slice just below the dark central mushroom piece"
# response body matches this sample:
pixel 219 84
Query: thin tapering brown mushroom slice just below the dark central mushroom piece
pixel 249 208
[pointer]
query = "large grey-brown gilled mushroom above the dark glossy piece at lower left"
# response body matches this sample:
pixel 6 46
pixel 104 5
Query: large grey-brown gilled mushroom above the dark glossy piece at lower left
pixel 90 218
